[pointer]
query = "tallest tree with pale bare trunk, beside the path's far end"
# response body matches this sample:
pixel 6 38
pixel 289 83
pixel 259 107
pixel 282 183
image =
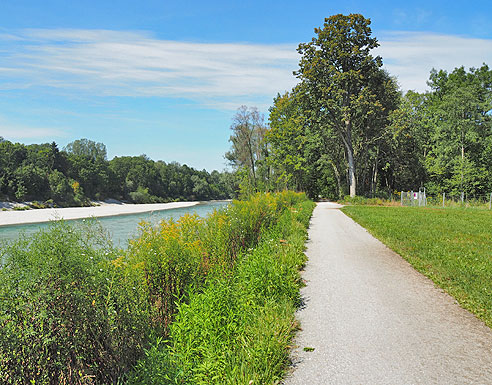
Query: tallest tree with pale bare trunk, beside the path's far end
pixel 345 85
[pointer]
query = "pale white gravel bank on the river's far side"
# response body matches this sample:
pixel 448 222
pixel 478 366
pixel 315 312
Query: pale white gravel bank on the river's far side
pixel 104 209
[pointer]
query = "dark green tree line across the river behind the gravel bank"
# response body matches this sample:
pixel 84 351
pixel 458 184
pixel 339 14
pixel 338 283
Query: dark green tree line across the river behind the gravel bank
pixel 81 172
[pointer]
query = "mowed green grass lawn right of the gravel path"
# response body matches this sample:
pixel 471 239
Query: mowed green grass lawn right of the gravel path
pixel 453 247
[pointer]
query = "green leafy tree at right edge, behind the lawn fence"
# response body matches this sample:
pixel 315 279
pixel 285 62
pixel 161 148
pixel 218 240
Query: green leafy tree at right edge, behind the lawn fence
pixel 460 107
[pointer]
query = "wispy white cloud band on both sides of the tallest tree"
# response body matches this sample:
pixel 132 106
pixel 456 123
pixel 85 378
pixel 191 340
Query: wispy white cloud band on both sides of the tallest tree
pixel 218 75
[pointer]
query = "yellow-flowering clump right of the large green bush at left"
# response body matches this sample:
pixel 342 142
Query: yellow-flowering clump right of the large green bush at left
pixel 165 261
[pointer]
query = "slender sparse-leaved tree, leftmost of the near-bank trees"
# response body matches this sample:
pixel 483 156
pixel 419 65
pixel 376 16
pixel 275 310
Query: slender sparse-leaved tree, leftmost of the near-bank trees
pixel 248 144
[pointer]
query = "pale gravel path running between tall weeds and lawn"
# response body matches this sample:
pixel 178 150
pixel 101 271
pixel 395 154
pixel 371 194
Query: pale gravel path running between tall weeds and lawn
pixel 372 319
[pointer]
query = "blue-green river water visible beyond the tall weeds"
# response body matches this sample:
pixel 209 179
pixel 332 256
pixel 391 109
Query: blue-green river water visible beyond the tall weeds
pixel 120 227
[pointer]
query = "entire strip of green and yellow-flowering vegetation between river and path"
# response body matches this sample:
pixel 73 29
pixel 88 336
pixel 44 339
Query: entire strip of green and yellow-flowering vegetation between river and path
pixel 190 301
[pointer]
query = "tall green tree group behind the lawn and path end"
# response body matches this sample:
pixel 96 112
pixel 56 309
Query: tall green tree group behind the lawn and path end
pixel 347 128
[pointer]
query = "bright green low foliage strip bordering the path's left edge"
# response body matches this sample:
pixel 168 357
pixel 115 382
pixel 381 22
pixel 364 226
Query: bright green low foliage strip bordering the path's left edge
pixel 238 327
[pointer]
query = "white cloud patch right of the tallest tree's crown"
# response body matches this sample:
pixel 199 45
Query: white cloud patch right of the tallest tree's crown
pixel 410 56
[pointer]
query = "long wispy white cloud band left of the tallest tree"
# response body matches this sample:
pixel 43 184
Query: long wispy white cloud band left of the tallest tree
pixel 134 64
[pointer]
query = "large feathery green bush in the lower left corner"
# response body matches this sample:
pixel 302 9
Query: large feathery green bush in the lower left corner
pixel 66 314
